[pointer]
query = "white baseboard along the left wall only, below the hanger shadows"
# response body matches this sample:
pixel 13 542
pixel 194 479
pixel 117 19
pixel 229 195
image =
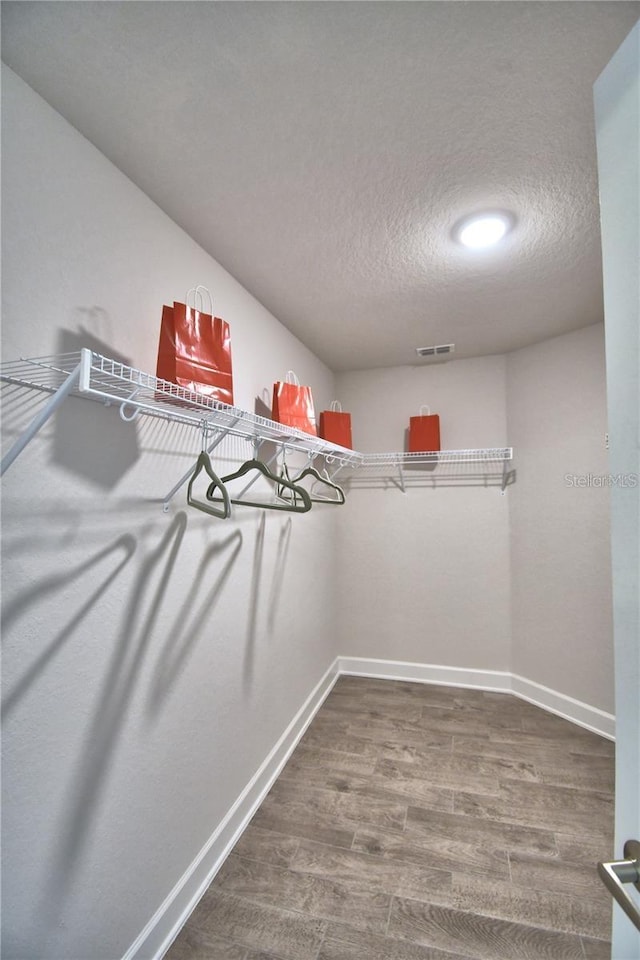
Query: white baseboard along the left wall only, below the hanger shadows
pixel 169 918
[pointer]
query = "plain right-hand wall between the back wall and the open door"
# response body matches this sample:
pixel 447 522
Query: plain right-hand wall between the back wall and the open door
pixel 559 517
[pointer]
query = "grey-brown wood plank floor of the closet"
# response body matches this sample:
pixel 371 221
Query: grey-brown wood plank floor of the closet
pixel 418 822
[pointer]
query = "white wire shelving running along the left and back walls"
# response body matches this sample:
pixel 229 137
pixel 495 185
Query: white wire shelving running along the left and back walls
pixel 93 376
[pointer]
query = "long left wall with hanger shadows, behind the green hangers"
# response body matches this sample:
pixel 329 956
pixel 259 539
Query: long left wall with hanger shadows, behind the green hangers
pixel 150 661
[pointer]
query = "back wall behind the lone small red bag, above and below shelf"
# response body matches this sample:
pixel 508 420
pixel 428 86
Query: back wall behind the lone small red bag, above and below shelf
pixel 424 575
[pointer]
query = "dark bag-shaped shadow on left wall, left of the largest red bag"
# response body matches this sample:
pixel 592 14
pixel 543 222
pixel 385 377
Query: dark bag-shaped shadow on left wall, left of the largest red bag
pixel 92 440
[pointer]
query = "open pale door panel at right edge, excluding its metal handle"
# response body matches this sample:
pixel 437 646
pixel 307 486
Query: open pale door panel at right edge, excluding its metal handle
pixel 617 104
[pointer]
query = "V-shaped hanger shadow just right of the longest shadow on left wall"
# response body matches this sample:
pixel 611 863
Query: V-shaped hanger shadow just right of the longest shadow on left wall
pixel 191 617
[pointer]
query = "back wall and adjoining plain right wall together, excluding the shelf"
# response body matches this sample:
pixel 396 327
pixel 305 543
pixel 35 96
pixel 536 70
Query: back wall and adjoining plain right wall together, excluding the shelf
pixel 467 577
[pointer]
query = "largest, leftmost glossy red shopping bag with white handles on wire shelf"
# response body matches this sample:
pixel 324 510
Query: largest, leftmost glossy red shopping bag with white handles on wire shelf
pixel 194 350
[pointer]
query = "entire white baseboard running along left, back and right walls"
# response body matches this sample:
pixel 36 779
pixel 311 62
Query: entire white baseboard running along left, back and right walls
pixel 169 918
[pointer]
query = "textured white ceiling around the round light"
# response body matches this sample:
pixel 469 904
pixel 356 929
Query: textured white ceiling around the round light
pixel 323 151
